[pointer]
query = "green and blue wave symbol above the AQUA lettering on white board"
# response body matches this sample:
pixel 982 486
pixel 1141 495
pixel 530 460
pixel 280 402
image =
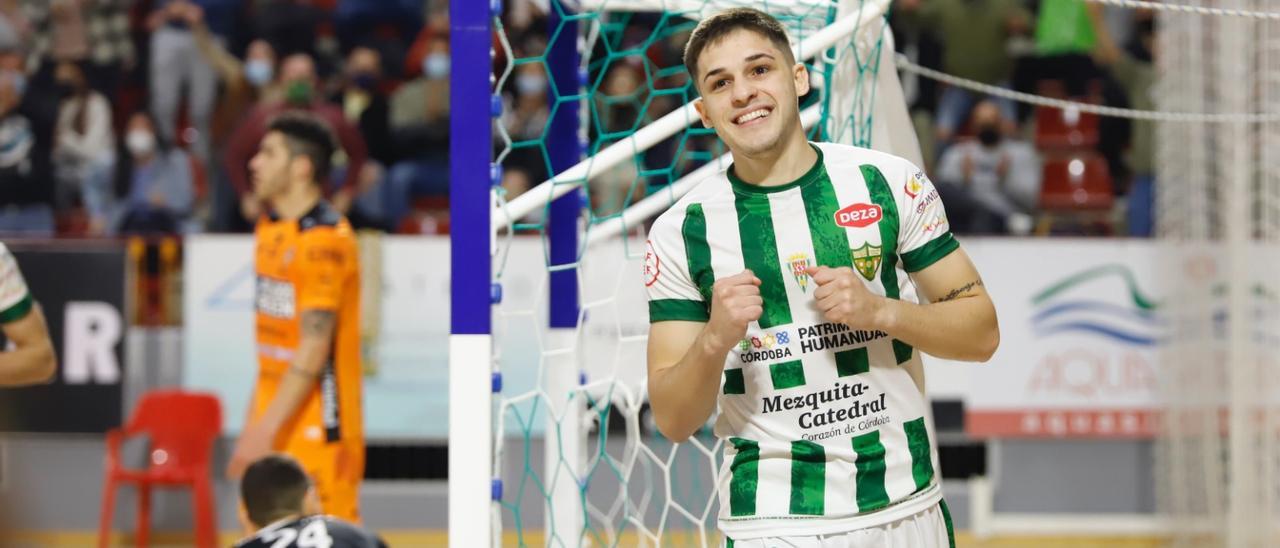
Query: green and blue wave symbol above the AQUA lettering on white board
pixel 1062 309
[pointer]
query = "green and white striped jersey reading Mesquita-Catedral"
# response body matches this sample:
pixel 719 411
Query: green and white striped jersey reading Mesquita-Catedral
pixel 828 428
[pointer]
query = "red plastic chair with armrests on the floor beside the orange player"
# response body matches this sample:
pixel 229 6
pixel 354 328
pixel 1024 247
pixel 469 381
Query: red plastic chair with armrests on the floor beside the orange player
pixel 182 428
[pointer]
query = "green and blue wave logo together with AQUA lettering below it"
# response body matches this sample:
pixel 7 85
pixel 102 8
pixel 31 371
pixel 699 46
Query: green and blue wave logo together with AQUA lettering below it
pixel 1100 330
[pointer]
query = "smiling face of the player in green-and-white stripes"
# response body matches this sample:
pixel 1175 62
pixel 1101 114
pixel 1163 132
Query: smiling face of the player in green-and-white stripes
pixel 751 93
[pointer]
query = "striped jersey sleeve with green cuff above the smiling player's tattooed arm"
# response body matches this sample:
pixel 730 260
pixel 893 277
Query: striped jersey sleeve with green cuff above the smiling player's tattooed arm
pixel 925 236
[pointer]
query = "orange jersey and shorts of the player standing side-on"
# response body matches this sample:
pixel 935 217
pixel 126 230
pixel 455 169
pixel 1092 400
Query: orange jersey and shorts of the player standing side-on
pixel 313 264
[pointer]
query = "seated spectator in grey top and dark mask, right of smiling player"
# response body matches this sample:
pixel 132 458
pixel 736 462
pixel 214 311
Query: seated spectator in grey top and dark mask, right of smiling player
pixel 990 186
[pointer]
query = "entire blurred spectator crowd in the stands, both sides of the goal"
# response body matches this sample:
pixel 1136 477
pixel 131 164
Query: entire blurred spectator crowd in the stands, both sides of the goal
pixel 139 117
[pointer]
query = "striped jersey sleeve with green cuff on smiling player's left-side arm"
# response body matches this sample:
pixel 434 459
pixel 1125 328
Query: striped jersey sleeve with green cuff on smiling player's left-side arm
pixel 671 291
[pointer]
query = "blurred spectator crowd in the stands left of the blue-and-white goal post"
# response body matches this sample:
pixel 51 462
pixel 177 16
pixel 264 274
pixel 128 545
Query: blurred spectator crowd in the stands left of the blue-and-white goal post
pixel 139 117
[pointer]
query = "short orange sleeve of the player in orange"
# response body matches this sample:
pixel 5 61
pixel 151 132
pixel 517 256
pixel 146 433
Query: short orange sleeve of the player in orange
pixel 324 261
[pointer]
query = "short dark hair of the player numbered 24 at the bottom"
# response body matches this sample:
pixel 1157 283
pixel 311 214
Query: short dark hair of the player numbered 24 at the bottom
pixel 273 488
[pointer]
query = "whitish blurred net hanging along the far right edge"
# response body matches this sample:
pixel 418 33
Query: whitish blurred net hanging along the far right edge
pixel 1218 220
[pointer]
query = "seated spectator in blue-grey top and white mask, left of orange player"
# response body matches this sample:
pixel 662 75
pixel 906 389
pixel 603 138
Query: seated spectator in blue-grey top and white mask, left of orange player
pixel 149 190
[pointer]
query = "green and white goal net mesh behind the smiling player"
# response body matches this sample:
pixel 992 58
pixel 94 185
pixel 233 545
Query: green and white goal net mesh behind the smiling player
pixel 579 459
